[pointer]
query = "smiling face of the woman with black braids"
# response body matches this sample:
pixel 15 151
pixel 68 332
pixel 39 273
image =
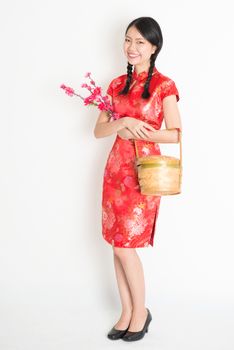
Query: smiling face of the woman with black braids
pixel 137 49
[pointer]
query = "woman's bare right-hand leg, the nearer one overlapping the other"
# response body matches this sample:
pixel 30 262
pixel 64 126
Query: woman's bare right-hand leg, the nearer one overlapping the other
pixel 133 269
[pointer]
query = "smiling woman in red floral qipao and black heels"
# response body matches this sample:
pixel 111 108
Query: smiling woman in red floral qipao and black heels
pixel 142 97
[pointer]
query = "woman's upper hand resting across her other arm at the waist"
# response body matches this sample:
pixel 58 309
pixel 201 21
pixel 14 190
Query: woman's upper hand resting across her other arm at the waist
pixel 137 127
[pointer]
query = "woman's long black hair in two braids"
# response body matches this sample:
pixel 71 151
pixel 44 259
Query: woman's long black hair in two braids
pixel 151 31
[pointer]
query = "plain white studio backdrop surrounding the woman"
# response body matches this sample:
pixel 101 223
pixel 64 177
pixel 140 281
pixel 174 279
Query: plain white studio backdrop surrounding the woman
pixel 57 280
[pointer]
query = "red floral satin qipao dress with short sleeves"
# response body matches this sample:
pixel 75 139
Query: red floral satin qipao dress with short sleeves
pixel 129 217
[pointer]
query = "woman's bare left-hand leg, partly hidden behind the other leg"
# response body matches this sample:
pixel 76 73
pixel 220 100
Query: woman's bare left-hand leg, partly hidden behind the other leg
pixel 125 295
